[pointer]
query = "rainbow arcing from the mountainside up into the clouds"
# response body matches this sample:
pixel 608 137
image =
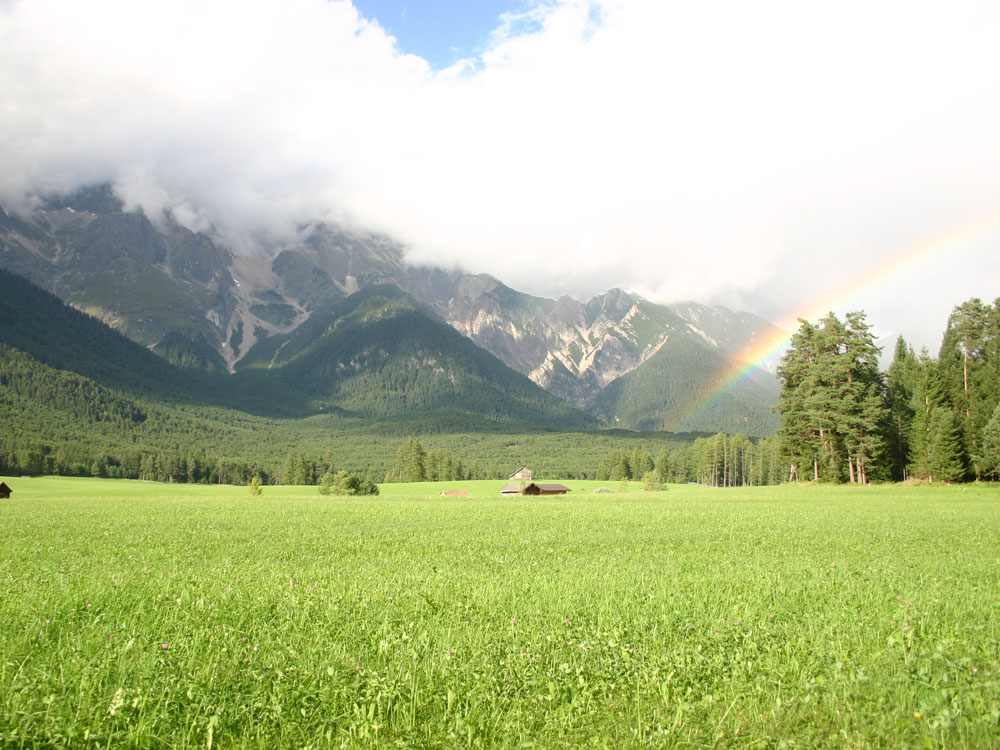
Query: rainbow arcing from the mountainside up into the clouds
pixel 764 355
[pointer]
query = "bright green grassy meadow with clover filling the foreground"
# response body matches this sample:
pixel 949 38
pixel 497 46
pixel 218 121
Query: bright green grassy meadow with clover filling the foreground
pixel 161 616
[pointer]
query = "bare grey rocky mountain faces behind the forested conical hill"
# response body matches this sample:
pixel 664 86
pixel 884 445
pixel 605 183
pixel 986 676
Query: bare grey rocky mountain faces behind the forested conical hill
pixel 184 294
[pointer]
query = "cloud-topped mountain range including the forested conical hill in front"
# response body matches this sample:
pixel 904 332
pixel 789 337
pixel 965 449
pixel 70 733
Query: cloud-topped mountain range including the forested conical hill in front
pixel 339 320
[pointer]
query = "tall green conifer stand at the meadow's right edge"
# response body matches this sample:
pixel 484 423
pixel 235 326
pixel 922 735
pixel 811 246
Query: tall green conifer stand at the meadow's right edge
pixel 927 418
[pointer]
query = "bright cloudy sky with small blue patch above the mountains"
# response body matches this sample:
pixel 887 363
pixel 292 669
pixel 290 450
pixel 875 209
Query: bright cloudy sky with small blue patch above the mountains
pixel 779 157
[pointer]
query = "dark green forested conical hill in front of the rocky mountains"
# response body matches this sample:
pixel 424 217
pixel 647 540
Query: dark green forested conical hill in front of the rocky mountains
pixel 379 354
